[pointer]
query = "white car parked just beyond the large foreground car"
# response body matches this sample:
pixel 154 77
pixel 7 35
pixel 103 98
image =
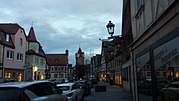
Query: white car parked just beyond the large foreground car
pixel 72 91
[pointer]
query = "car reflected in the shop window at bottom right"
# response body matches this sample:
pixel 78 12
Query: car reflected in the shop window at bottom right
pixel 170 92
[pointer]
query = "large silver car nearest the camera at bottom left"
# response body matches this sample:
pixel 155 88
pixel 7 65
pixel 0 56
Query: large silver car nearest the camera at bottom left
pixel 31 91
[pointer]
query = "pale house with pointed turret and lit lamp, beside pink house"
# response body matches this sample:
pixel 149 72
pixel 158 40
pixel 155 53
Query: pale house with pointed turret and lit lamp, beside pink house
pixel 35 64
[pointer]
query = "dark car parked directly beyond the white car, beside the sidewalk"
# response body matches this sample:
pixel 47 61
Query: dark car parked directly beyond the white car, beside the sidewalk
pixel 85 86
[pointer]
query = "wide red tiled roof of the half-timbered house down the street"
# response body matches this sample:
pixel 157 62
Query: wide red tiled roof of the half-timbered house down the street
pixel 57 59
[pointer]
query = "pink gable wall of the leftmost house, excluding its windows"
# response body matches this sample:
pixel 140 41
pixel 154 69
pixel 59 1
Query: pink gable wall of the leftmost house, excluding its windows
pixel 15 64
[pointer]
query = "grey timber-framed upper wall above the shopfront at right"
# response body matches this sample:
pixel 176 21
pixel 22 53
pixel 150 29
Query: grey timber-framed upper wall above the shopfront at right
pixel 145 17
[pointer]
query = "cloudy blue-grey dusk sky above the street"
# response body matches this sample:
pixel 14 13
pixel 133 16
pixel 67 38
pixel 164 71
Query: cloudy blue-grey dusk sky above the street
pixel 65 24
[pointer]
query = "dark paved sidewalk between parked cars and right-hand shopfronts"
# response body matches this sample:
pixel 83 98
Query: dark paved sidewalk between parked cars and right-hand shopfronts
pixel 113 93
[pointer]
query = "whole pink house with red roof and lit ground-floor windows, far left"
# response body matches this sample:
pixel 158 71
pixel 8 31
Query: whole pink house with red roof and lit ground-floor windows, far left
pixel 12 51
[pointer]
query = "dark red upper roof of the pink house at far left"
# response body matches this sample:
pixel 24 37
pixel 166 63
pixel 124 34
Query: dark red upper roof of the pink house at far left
pixel 11 28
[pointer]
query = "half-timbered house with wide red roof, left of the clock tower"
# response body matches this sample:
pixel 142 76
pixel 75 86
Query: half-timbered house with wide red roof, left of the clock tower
pixel 58 65
